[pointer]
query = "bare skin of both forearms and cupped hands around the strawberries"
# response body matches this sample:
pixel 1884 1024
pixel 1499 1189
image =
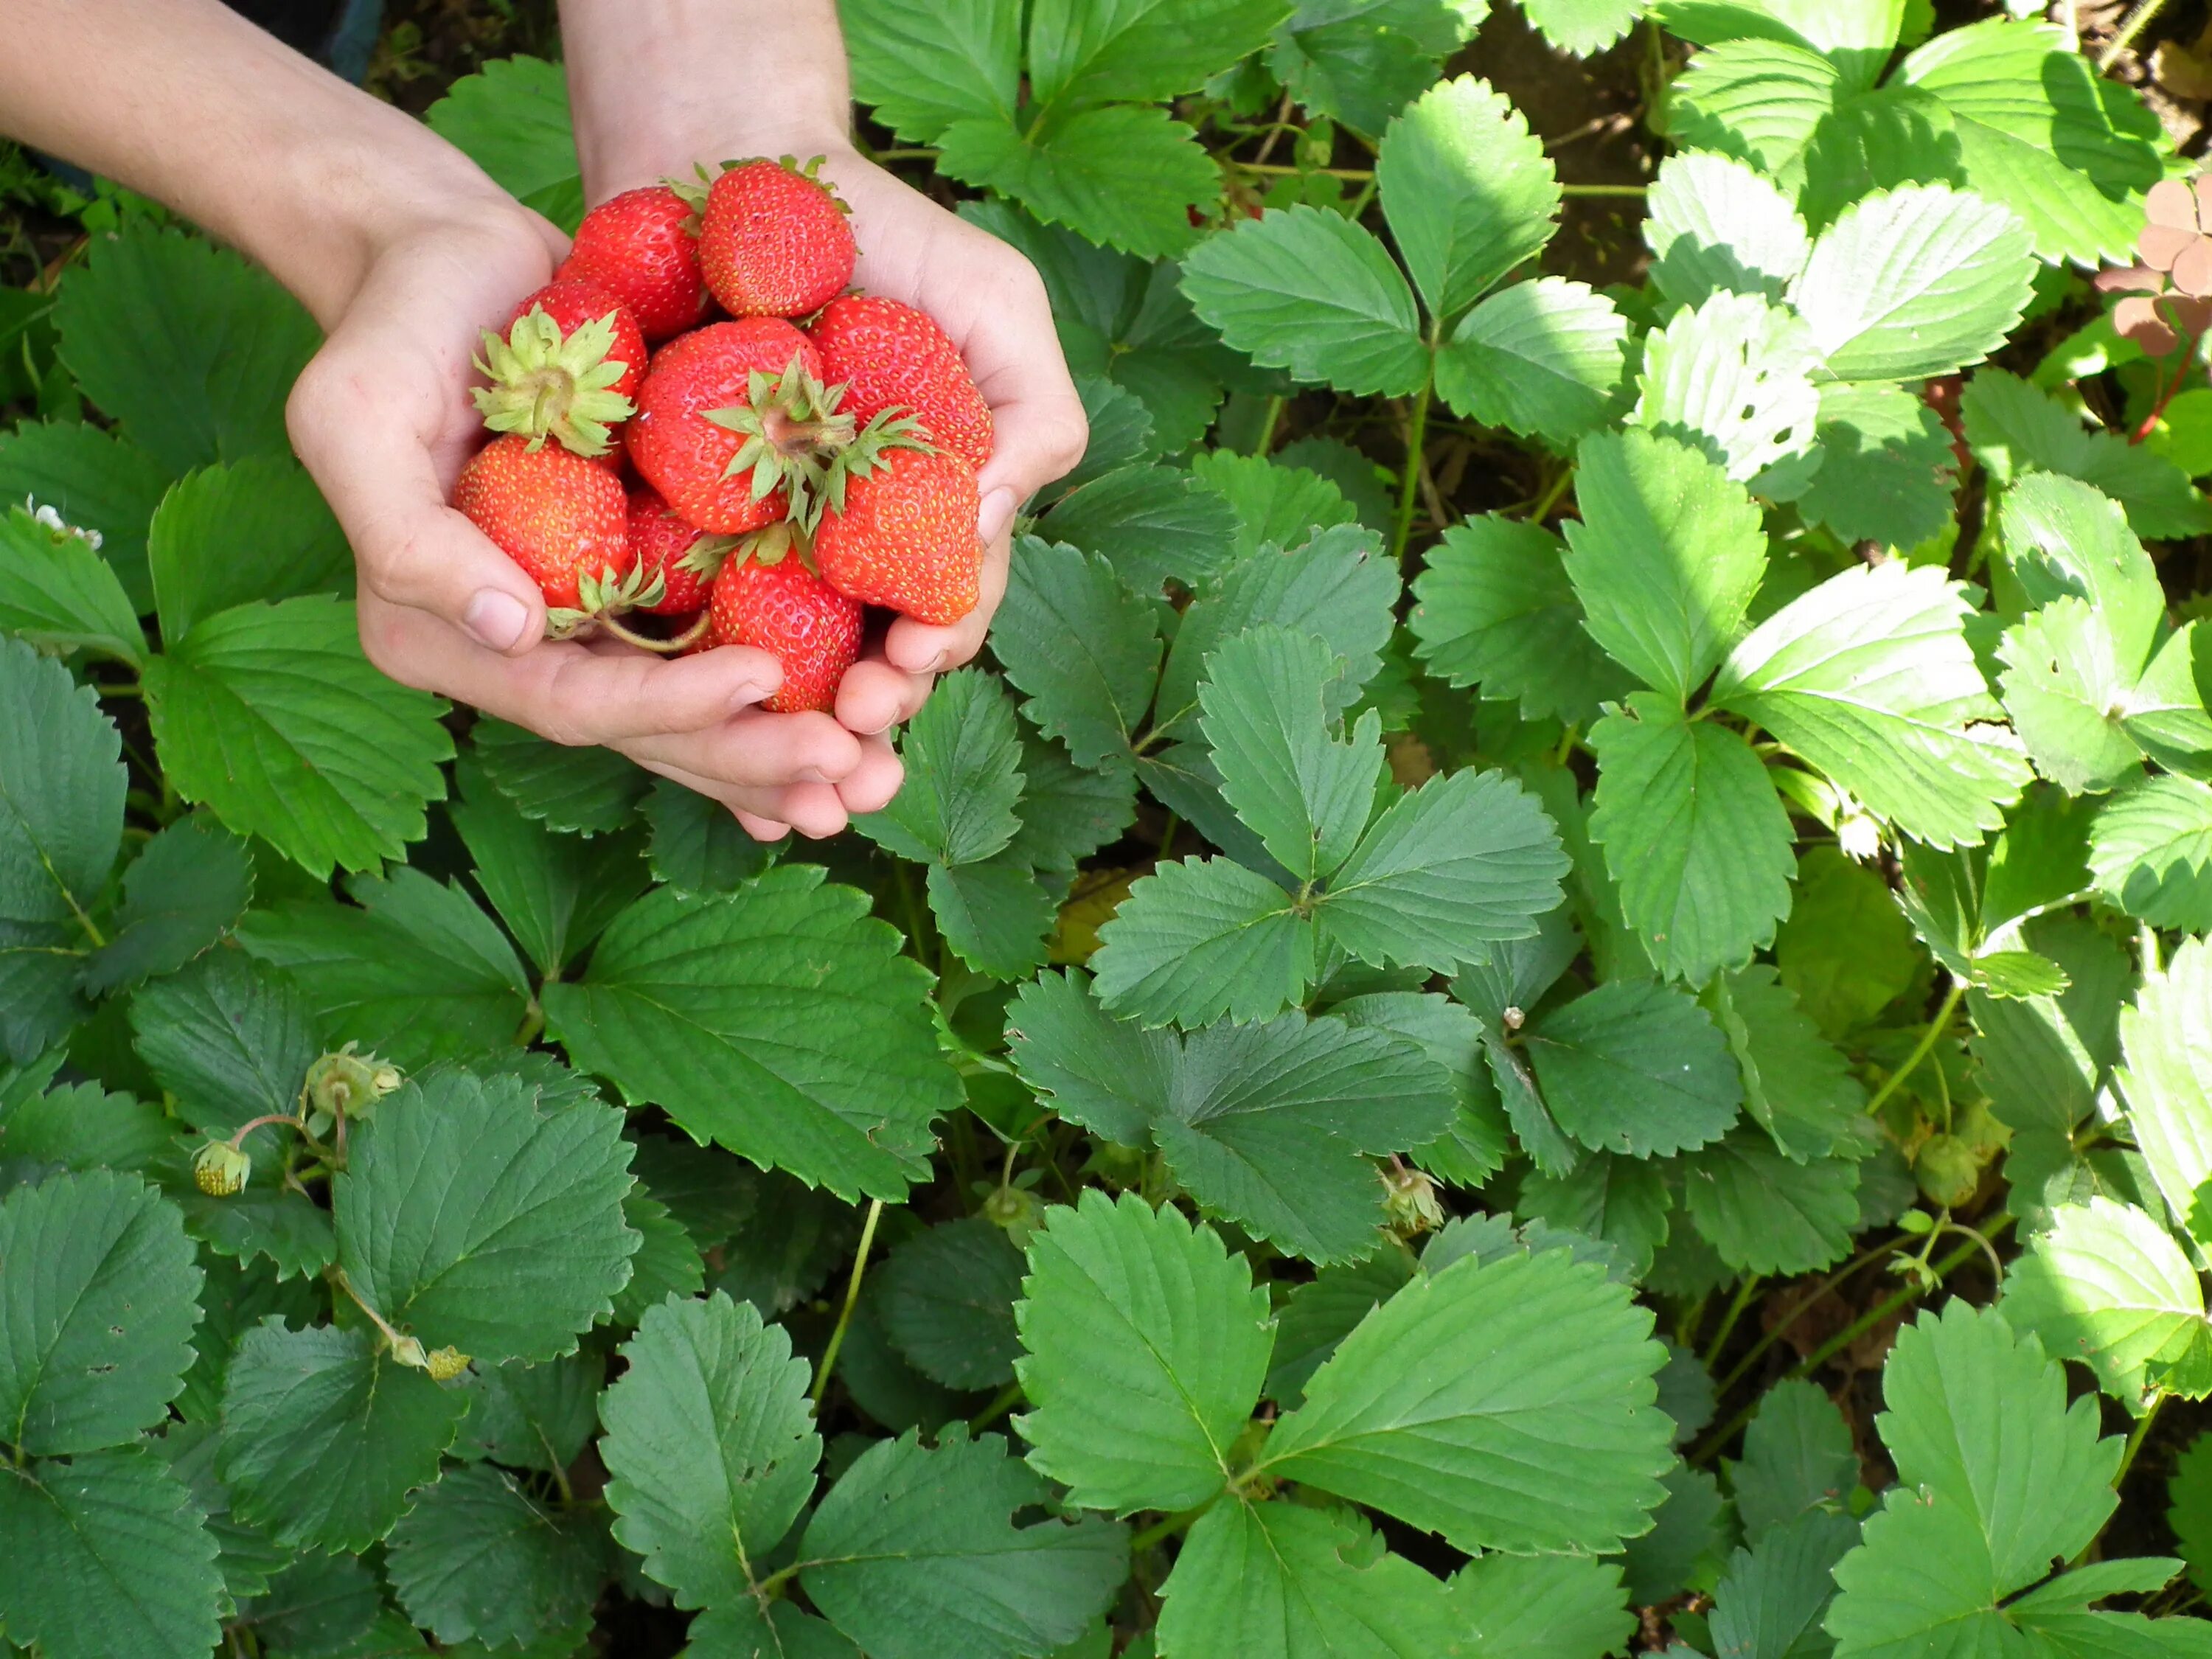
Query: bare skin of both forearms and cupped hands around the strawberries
pixel 404 251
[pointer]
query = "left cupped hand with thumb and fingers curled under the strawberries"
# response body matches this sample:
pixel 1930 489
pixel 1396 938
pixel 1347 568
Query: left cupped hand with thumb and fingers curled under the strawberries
pixel 384 421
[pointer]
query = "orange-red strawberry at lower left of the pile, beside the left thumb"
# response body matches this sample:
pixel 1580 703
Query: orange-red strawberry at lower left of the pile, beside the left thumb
pixel 561 519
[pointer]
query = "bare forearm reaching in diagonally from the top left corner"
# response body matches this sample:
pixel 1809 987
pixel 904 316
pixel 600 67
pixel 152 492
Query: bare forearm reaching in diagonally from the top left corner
pixel 207 114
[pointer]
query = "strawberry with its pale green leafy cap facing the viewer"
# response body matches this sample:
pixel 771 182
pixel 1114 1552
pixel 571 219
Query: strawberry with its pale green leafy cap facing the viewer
pixel 567 368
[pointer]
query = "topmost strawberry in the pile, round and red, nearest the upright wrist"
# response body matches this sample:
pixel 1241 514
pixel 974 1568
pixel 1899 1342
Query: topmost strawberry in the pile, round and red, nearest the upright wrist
pixel 775 240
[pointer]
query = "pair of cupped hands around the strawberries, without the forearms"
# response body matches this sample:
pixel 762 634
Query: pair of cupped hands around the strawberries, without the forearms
pixel 384 421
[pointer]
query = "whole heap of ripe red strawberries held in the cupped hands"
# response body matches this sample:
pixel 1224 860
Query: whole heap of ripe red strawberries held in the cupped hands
pixel 804 452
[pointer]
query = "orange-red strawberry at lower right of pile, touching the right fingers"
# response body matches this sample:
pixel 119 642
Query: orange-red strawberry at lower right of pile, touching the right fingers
pixel 904 536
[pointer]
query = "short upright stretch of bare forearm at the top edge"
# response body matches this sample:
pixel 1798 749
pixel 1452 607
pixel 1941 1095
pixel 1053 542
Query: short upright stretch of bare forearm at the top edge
pixel 651 85
